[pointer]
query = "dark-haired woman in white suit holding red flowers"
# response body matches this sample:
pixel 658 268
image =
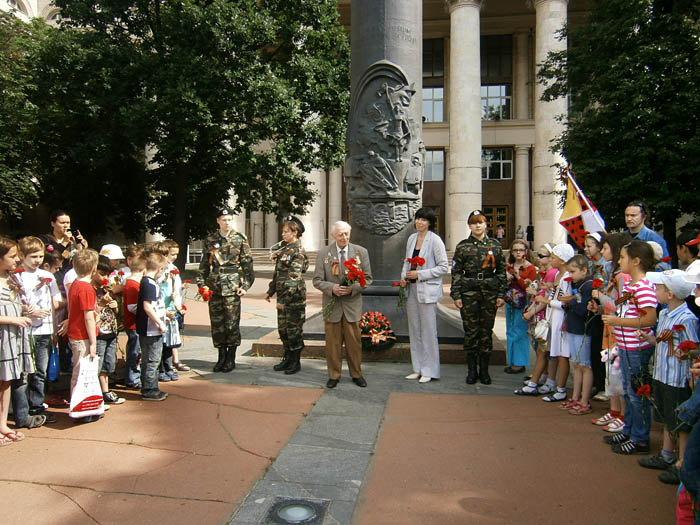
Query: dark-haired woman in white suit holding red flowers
pixel 424 284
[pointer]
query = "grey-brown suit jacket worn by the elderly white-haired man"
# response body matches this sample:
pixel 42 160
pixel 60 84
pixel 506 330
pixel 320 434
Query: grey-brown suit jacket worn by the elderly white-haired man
pixel 348 305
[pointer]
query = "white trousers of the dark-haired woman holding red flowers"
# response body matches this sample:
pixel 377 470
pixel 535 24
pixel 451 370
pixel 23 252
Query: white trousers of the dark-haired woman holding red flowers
pixel 422 332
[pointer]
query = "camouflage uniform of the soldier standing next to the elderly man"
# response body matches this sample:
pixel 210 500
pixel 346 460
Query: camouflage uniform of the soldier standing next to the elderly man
pixel 288 283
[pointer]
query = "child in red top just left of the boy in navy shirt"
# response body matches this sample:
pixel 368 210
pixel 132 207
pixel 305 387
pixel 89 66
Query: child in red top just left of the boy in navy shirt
pixel 130 296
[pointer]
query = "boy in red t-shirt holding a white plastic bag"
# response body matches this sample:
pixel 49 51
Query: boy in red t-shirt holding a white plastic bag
pixel 82 327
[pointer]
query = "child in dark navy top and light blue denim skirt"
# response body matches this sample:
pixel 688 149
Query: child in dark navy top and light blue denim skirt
pixel 578 330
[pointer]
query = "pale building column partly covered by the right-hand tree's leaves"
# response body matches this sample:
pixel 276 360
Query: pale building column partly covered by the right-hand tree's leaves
pixel 551 17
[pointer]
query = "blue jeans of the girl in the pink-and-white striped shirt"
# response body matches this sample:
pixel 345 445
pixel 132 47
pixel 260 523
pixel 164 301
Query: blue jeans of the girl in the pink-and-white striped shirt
pixel 637 410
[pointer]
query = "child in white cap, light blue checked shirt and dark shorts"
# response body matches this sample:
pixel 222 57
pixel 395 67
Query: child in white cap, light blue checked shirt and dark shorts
pixel 671 369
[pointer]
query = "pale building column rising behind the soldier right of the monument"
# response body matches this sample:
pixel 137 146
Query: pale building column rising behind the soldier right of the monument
pixel 463 178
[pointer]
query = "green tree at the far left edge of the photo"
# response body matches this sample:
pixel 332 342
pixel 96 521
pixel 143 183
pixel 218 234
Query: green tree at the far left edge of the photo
pixel 18 176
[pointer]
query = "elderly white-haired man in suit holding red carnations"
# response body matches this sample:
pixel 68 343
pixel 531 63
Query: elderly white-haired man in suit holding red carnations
pixel 342 323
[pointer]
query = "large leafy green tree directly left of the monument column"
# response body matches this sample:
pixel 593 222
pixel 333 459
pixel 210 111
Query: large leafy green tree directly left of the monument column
pixel 226 97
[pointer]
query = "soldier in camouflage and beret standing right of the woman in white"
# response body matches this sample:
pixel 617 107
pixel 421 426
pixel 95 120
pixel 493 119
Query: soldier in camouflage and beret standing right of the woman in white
pixel 478 288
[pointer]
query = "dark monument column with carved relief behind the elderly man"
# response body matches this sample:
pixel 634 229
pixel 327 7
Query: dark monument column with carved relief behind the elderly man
pixel 385 153
